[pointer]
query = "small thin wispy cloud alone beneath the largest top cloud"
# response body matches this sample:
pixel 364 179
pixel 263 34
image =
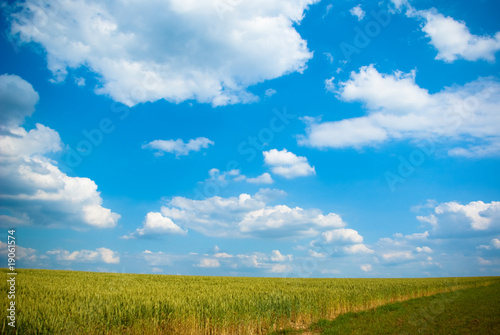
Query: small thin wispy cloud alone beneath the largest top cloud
pixel 178 147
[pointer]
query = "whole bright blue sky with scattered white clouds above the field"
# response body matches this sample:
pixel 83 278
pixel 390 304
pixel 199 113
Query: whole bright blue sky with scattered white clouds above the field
pixel 271 138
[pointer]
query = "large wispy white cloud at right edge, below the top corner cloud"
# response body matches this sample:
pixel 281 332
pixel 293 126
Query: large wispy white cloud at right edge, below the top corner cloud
pixel 398 109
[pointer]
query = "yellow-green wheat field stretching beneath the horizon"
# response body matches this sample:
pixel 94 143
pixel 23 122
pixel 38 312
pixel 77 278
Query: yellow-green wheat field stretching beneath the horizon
pixel 68 302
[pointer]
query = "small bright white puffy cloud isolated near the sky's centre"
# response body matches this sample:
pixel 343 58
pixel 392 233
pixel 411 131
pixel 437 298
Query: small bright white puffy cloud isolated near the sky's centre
pixel 287 164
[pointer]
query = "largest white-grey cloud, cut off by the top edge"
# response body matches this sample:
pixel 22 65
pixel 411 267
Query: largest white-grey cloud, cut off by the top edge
pixel 173 50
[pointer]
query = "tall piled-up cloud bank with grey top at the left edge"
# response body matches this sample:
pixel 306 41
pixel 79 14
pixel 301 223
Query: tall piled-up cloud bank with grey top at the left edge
pixel 35 190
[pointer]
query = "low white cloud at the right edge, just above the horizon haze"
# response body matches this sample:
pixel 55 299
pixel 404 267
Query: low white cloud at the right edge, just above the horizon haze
pixel 453 219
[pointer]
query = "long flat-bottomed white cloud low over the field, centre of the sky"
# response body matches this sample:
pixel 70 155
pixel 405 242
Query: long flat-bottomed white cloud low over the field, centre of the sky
pixel 246 215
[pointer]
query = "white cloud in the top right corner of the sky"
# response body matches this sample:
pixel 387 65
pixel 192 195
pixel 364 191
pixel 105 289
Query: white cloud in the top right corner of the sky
pixel 453 39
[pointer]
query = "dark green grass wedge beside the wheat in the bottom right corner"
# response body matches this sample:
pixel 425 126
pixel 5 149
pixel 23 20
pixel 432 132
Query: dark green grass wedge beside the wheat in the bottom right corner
pixel 469 311
